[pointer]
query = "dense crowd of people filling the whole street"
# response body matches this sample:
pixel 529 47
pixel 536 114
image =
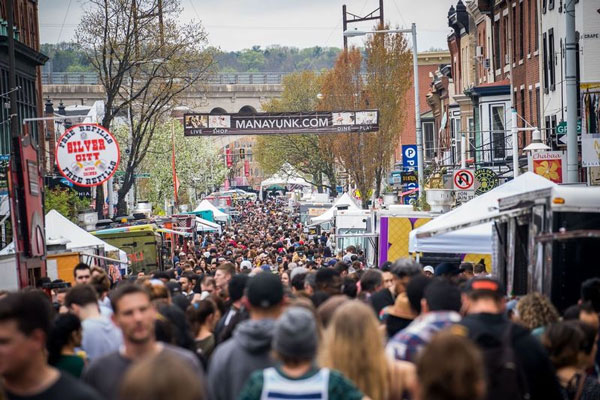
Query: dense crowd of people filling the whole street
pixel 265 311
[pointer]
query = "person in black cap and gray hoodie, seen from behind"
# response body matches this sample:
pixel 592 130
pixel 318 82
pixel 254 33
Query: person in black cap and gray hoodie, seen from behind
pixel 249 349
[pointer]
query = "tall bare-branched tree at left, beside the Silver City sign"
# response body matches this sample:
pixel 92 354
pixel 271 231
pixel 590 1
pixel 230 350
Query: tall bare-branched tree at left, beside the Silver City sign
pixel 145 59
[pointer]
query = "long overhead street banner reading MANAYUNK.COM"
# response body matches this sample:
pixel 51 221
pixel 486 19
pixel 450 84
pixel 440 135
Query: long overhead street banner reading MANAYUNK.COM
pixel 281 123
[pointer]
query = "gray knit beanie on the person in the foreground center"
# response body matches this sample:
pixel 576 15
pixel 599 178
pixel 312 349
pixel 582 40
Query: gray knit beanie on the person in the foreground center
pixel 296 334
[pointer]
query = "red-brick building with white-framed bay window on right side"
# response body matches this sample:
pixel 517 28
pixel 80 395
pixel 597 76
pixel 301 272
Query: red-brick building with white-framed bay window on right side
pixel 494 67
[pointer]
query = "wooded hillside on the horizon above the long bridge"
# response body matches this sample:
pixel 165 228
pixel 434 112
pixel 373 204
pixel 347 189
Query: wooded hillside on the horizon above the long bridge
pixel 68 57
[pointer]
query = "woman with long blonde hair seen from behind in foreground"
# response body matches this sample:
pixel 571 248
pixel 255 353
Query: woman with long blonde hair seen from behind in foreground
pixel 353 344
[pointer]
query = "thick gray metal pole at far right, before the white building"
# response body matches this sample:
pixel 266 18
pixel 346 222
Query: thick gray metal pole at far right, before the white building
pixel 571 83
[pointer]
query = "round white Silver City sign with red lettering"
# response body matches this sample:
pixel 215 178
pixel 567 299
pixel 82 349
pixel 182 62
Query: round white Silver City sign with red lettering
pixel 87 154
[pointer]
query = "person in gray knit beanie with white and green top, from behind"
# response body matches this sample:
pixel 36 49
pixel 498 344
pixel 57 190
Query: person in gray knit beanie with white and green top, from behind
pixel 297 377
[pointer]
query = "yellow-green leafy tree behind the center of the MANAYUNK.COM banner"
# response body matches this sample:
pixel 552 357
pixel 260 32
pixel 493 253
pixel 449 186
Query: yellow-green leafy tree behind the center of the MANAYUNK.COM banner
pixel 308 154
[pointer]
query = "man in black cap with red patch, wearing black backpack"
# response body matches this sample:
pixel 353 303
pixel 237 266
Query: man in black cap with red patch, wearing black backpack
pixel 517 366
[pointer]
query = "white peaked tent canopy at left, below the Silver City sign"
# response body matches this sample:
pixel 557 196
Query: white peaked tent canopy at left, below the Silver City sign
pixel 60 228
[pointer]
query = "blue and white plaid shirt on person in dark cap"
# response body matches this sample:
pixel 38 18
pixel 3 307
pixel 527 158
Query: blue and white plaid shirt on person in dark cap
pixel 407 343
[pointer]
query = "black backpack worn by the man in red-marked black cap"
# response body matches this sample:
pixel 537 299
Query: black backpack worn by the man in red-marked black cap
pixel 505 377
